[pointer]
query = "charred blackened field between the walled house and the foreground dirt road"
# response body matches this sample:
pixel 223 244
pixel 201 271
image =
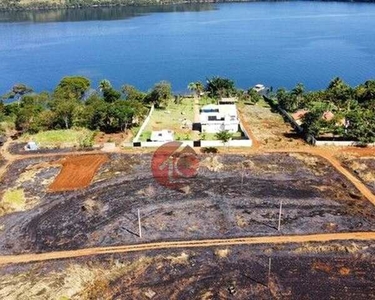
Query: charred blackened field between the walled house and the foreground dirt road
pixel 232 196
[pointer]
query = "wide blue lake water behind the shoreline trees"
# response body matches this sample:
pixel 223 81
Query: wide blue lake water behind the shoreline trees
pixel 275 43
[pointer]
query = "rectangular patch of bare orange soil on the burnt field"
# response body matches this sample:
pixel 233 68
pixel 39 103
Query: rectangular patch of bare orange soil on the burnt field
pixel 77 172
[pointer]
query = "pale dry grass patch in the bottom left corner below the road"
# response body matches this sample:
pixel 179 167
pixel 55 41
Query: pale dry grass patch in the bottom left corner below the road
pixel 74 282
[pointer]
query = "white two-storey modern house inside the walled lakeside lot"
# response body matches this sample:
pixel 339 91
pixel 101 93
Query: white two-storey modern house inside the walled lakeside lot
pixel 216 118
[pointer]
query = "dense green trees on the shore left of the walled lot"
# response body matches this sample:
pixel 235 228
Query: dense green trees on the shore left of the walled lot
pixel 74 103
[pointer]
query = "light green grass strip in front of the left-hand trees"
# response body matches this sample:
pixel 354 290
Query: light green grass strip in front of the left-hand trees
pixel 61 138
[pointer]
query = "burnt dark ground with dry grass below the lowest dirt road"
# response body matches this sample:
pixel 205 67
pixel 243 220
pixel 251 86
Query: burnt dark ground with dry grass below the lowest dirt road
pixel 342 270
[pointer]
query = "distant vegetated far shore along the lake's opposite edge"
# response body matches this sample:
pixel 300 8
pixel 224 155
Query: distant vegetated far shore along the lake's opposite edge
pixel 15 5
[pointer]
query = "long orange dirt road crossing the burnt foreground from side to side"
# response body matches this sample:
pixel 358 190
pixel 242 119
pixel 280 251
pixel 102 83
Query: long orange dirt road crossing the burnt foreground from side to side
pixel 37 257
